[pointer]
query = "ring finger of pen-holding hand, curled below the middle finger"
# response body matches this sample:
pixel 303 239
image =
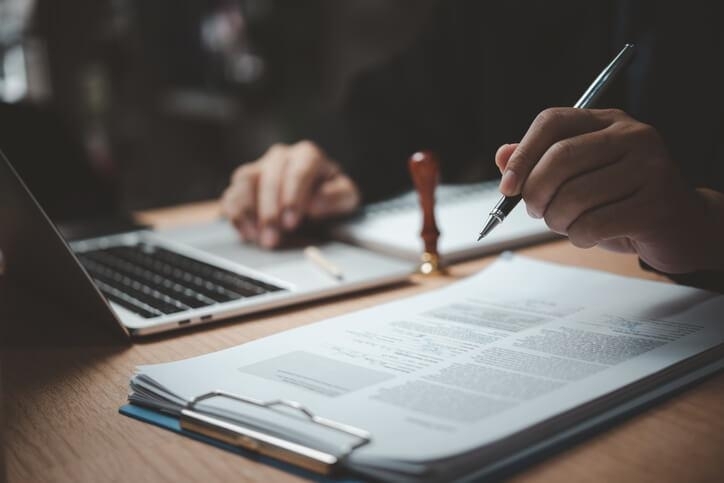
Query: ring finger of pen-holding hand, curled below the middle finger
pixel 590 191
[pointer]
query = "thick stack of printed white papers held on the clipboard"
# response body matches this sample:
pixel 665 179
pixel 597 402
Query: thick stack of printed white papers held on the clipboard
pixel 457 379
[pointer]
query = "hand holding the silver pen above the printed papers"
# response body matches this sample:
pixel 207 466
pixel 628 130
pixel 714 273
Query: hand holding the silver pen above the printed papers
pixel 602 178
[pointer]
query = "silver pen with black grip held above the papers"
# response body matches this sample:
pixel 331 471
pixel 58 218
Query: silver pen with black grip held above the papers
pixel 506 204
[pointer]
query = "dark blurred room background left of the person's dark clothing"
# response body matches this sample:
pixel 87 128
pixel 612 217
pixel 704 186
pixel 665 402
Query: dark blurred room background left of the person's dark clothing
pixel 154 102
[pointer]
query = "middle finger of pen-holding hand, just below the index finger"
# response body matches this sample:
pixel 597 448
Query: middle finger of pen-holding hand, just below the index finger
pixel 565 160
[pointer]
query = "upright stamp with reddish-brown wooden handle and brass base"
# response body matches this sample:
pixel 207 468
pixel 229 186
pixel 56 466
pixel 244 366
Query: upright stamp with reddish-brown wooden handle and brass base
pixel 425 170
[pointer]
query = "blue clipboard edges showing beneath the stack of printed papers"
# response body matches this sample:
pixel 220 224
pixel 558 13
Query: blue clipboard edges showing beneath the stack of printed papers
pixel 503 468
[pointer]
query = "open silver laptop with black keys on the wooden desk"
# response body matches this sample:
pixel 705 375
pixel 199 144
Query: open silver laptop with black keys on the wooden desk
pixel 145 281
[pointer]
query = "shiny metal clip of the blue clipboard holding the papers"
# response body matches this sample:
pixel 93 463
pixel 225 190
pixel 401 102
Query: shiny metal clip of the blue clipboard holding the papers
pixel 235 434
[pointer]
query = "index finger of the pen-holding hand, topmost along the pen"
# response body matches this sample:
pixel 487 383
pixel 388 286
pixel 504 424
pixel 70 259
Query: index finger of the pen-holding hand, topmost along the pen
pixel 549 127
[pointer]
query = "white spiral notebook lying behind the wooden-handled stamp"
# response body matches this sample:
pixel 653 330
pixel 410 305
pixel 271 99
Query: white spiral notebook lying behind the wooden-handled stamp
pixel 393 226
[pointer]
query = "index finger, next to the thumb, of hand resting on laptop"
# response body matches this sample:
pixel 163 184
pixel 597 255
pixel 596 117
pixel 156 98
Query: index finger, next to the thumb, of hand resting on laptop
pixel 307 166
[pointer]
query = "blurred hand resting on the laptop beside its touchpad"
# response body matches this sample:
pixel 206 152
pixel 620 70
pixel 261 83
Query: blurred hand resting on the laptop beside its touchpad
pixel 275 193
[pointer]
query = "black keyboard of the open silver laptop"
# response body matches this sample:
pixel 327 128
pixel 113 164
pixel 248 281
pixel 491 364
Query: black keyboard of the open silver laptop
pixel 152 281
